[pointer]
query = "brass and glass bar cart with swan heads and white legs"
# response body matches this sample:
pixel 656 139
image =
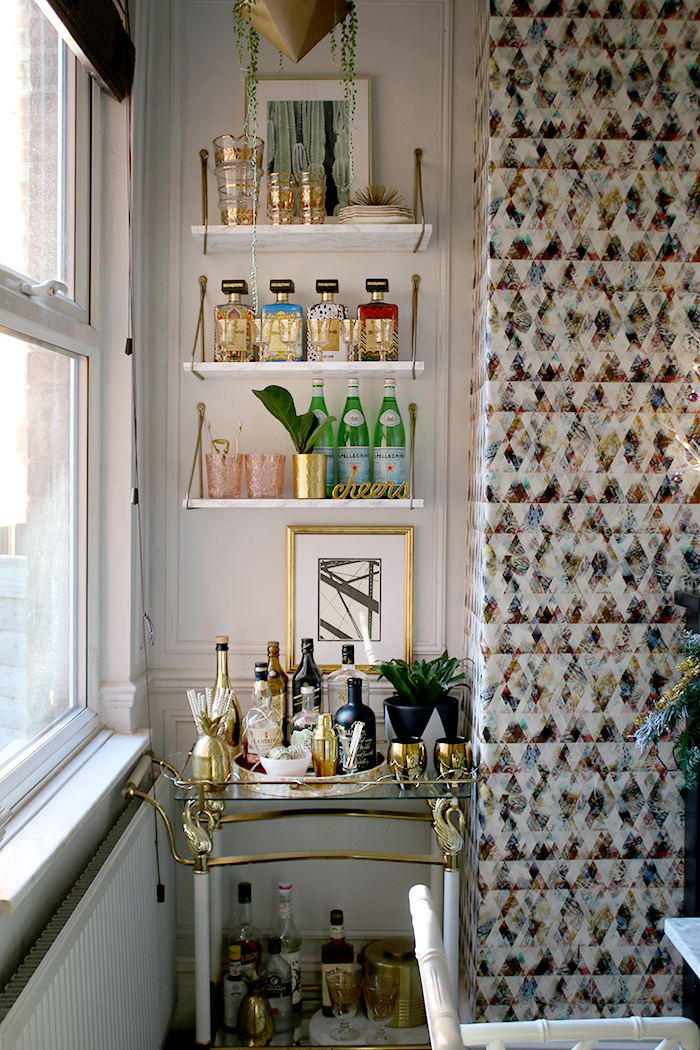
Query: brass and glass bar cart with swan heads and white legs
pixel 206 812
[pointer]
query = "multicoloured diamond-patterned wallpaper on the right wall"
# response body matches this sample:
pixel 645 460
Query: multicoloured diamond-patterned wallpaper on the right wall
pixel 595 198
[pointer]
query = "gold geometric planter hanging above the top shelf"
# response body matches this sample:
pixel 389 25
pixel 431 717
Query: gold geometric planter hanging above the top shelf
pixel 294 27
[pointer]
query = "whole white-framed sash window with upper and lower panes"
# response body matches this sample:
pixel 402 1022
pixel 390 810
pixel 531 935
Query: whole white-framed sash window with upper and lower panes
pixel 46 342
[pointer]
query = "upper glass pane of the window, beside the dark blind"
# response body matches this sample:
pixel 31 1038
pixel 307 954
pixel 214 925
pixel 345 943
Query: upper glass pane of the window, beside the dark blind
pixel 33 94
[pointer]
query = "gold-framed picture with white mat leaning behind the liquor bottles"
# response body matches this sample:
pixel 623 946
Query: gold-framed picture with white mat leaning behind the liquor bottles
pixel 343 580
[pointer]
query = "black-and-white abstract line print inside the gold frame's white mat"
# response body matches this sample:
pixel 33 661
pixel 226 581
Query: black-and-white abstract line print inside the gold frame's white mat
pixel 349 592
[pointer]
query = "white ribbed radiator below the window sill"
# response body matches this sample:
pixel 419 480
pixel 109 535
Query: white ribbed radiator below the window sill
pixel 102 975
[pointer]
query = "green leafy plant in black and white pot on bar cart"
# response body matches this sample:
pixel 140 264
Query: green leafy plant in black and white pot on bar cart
pixel 422 704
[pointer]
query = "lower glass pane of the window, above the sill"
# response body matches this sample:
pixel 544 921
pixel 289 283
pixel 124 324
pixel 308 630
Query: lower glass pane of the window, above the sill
pixel 38 413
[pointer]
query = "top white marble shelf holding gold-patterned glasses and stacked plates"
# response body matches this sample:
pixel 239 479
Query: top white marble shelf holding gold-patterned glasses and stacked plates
pixel 325 238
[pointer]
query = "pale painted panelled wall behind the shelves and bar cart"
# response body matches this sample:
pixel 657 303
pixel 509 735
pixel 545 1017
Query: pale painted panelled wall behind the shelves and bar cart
pixel 213 573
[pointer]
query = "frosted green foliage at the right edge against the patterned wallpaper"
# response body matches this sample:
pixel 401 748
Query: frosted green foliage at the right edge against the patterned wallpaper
pixel 682 704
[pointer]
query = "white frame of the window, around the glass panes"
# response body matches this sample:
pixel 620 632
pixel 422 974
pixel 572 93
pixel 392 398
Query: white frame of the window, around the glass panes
pixel 62 323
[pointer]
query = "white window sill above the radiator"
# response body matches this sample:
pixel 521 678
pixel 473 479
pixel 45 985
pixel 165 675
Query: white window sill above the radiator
pixel 36 838
